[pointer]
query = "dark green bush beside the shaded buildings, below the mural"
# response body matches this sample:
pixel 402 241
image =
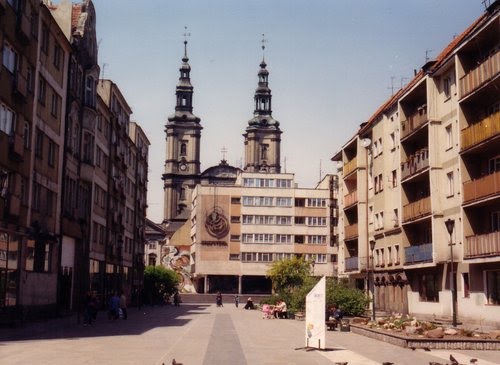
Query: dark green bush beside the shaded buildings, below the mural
pixel 159 283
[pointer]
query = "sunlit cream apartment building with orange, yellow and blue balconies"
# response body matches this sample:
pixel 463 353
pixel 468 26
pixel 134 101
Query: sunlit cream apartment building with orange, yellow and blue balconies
pixel 419 187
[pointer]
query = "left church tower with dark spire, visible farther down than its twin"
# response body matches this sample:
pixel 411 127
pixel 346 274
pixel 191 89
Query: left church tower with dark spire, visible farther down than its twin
pixel 182 163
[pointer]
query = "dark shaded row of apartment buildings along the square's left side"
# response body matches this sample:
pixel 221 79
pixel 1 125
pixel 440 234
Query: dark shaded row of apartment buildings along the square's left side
pixel 69 159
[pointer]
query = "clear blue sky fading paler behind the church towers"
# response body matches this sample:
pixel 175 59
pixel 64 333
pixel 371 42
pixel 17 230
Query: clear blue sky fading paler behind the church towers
pixel 331 64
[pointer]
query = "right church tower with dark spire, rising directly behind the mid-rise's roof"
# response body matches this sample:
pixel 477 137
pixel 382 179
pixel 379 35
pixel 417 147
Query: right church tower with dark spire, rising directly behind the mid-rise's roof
pixel 263 134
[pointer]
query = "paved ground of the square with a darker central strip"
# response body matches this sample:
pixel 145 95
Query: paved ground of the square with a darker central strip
pixel 202 334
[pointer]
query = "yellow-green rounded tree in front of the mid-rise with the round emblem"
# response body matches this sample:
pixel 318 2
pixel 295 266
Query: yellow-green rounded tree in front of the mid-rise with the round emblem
pixel 286 275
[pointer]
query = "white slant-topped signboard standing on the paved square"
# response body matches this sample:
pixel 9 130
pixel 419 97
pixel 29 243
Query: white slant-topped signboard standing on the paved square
pixel 315 315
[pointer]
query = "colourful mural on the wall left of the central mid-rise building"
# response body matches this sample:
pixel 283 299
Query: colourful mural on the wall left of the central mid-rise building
pixel 177 259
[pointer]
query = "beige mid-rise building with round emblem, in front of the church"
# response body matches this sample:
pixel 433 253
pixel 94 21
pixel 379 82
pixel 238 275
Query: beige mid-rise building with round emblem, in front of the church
pixel 238 230
